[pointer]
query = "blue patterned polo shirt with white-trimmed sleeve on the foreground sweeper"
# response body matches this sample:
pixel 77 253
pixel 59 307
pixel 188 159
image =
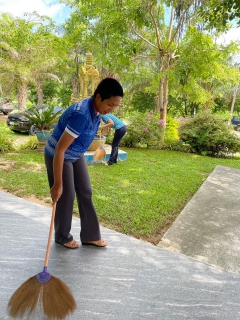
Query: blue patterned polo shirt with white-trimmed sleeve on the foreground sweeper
pixel 81 122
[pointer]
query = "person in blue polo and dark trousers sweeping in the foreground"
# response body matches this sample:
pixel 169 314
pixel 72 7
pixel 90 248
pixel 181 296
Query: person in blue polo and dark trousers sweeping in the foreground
pixel 66 165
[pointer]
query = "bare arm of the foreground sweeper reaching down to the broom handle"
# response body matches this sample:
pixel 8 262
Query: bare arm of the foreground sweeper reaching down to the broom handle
pixel 62 145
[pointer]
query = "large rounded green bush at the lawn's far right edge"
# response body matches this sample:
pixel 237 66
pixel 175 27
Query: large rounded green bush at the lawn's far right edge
pixel 207 134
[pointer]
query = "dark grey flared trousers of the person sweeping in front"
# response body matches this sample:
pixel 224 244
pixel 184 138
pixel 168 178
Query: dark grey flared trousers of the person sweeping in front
pixel 75 181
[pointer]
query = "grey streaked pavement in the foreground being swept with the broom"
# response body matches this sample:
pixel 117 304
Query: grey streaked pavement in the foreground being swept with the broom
pixel 128 280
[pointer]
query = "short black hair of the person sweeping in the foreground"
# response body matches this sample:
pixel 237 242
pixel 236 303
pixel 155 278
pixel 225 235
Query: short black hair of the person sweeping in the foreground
pixel 108 88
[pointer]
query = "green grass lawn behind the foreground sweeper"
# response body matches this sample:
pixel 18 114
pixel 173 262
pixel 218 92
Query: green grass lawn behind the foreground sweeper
pixel 140 197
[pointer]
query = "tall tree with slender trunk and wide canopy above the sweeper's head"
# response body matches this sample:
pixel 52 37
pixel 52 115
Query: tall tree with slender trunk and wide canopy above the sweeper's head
pixel 134 38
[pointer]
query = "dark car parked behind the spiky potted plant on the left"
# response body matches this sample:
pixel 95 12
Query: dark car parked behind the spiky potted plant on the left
pixel 17 121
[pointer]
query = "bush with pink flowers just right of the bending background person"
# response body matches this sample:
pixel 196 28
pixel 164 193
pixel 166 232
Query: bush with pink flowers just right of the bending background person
pixel 144 130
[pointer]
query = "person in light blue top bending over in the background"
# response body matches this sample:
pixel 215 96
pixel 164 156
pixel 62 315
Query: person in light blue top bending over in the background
pixel 112 121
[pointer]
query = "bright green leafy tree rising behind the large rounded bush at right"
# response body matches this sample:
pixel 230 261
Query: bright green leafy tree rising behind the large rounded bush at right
pixel 204 71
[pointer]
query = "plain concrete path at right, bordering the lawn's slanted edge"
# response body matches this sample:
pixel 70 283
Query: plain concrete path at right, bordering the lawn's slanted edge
pixel 208 228
